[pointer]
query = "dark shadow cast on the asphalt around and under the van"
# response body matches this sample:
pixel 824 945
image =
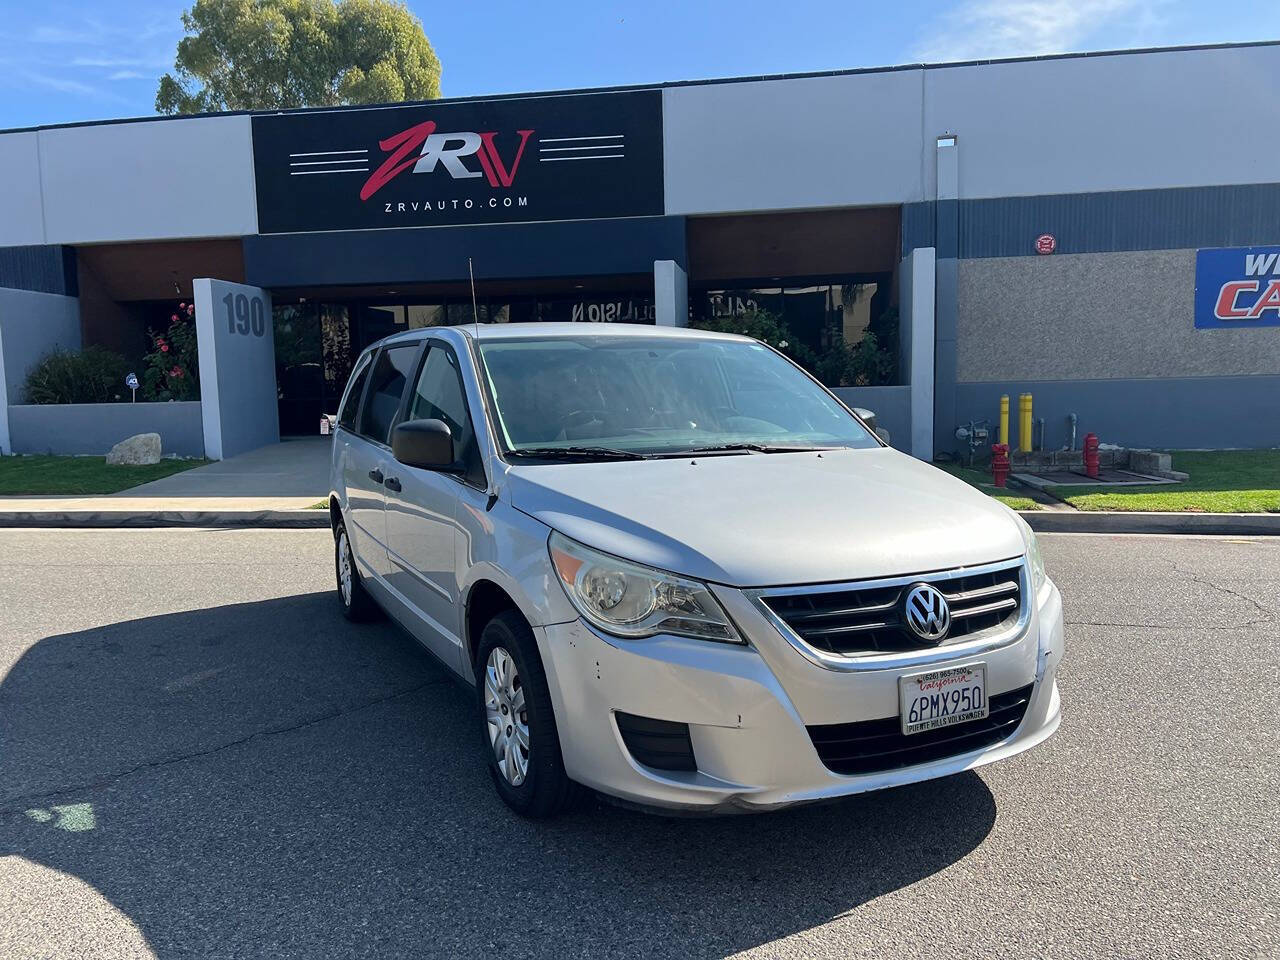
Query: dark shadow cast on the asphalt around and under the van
pixel 266 779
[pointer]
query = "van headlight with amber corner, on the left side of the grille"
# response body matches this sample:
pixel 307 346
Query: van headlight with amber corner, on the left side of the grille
pixel 628 600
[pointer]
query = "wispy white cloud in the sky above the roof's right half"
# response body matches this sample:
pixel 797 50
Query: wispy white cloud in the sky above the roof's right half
pixel 990 29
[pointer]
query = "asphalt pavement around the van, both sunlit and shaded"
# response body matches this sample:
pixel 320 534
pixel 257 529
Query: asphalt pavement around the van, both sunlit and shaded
pixel 199 757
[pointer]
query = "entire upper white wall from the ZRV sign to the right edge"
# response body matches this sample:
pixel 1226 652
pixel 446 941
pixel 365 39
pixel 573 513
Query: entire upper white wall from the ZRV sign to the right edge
pixel 1054 126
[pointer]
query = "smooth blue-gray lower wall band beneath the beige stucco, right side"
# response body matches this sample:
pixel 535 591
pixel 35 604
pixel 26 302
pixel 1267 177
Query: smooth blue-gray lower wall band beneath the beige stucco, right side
pixel 1171 414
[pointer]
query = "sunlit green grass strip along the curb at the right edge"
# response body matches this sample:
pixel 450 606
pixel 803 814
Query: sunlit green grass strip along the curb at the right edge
pixel 1224 482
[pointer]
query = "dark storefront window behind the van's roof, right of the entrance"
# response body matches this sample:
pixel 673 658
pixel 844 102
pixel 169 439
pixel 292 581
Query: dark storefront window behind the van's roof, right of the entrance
pixel 840 328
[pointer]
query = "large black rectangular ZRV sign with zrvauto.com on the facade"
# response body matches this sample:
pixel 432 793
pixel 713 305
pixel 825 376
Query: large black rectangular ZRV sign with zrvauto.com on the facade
pixel 560 158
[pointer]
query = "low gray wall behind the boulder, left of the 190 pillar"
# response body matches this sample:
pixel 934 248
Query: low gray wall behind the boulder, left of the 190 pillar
pixel 95 428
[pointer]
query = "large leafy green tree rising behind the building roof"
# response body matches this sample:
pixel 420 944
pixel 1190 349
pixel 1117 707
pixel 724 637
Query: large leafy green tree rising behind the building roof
pixel 278 54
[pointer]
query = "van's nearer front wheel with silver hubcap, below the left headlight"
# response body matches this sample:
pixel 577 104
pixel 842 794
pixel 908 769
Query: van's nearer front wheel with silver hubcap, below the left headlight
pixel 518 723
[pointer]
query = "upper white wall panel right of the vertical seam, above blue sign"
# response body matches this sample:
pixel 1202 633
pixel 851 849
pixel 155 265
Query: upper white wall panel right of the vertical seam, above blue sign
pixel 1105 124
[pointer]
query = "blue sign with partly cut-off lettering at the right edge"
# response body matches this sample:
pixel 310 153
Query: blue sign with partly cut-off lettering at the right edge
pixel 1238 289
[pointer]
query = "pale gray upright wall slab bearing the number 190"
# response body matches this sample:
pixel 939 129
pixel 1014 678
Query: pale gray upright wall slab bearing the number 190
pixel 237 368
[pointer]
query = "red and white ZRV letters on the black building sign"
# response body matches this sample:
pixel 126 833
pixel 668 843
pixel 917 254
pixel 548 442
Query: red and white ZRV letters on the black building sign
pixel 447 150
